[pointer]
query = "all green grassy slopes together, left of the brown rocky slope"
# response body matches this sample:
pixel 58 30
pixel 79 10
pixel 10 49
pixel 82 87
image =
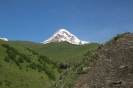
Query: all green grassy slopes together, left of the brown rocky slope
pixel 24 68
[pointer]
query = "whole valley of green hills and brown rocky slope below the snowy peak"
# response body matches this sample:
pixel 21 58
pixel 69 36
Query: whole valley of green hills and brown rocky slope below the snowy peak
pixel 25 64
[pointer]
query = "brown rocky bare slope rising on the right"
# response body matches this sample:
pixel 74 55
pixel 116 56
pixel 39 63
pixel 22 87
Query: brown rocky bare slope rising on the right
pixel 114 69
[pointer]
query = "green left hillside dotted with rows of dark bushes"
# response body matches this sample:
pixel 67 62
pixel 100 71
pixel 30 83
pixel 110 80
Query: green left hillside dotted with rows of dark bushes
pixel 24 68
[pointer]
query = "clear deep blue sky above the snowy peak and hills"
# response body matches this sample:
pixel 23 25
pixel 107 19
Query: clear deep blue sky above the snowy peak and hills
pixel 89 20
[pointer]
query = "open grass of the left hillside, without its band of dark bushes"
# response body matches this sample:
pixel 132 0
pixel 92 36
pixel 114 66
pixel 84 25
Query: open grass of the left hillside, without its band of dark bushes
pixel 11 76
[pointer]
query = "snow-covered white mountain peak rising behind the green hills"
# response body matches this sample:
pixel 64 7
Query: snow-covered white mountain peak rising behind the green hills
pixel 64 35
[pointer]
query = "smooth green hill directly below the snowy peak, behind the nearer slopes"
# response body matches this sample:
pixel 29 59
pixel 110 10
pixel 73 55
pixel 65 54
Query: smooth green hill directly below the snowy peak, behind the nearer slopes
pixel 59 51
